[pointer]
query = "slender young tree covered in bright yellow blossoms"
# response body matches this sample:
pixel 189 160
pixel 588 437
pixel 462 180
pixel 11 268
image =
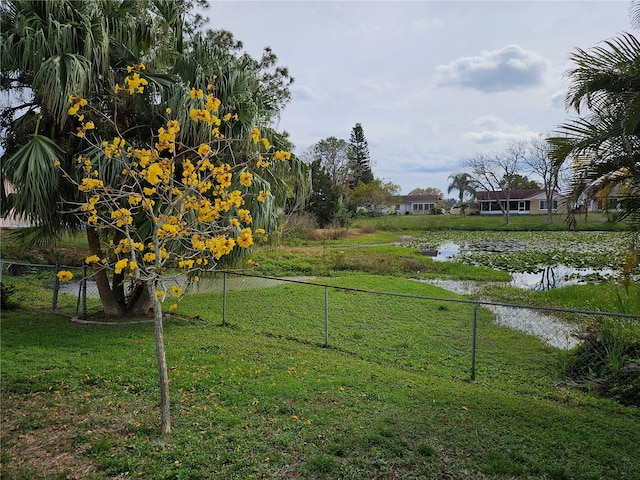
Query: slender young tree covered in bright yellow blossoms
pixel 176 209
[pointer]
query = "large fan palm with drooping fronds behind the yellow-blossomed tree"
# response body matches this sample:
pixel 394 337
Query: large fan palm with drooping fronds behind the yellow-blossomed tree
pixel 52 50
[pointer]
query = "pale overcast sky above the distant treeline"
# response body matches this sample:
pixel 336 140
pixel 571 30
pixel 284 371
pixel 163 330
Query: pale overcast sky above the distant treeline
pixel 431 82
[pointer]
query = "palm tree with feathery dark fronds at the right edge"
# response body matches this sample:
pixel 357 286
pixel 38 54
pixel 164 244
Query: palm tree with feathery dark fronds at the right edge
pixel 604 142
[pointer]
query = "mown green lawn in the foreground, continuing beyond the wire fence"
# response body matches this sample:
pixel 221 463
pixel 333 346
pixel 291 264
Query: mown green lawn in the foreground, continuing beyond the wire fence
pixel 262 398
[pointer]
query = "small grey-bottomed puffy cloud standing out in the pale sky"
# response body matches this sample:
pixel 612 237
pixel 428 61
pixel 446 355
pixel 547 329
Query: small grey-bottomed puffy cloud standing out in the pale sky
pixel 509 68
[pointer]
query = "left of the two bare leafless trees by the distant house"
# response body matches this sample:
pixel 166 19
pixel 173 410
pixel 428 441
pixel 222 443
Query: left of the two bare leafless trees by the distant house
pixel 494 173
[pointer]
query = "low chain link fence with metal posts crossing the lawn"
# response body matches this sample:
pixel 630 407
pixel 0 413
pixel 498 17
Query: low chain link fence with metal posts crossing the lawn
pixel 448 336
